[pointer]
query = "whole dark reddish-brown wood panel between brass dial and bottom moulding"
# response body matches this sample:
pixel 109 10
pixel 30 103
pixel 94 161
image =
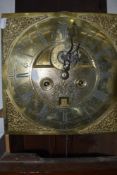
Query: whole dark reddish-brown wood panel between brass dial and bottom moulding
pixel 73 146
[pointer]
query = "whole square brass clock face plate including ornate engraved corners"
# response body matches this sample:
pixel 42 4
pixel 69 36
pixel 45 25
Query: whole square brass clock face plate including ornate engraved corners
pixel 59 72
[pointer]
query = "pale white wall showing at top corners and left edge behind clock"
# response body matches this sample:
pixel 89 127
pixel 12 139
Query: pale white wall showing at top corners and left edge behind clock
pixel 8 6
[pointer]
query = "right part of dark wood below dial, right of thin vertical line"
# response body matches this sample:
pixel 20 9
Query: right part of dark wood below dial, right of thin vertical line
pixel 102 144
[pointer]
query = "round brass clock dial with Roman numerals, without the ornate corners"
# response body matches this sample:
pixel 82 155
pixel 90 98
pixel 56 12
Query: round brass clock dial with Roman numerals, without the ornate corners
pixel 61 72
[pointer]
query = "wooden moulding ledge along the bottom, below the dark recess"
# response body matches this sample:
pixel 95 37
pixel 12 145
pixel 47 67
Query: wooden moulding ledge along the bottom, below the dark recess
pixel 32 163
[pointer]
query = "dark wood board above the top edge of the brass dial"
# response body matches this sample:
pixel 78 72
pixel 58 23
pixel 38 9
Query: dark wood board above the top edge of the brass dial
pixel 61 5
